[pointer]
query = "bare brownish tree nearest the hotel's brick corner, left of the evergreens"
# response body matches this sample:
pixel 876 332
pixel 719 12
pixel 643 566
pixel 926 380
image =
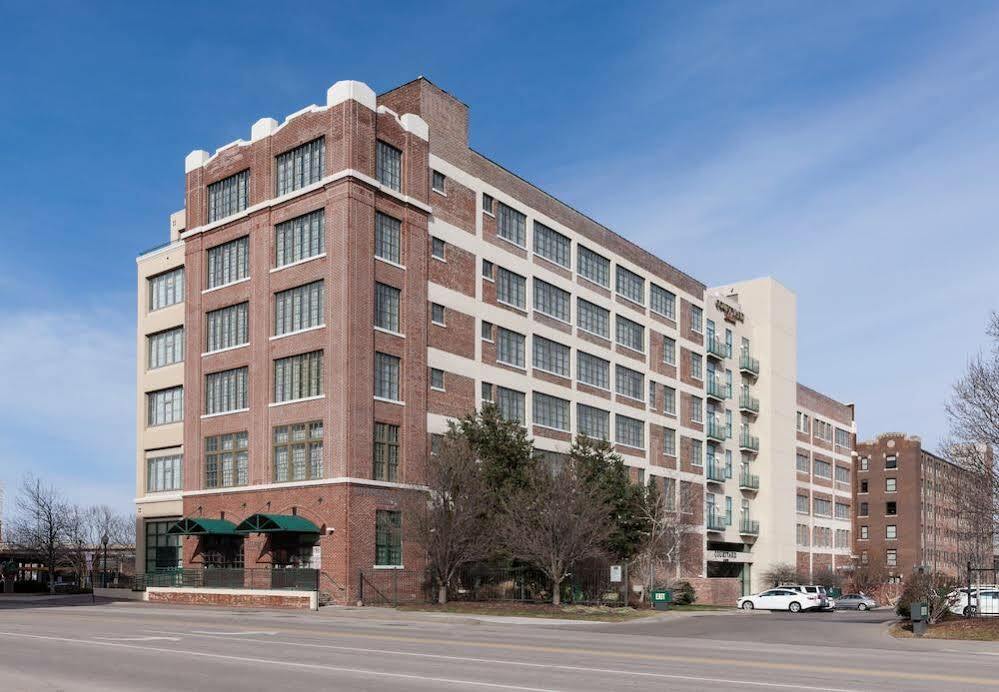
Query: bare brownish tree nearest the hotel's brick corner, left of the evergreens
pixel 452 523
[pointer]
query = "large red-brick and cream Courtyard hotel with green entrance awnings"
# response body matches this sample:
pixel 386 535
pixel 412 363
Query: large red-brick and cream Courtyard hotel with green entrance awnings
pixel 343 283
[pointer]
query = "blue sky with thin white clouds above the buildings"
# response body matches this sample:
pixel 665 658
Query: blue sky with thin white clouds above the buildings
pixel 850 150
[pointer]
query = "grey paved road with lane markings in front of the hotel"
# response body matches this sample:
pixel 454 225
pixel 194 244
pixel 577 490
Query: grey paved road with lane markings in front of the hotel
pixel 134 646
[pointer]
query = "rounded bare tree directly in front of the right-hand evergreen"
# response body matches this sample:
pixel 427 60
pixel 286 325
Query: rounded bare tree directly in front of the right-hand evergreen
pixel 554 521
